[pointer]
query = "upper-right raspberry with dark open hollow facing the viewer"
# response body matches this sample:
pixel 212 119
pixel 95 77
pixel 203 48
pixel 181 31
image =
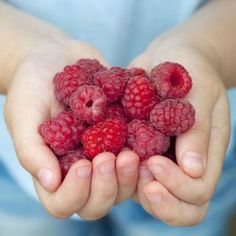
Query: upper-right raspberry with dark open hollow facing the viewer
pixel 171 80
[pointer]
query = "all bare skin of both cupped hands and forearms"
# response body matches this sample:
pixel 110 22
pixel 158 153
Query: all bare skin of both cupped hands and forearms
pixel 31 53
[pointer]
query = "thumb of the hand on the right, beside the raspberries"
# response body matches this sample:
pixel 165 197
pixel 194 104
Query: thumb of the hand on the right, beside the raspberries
pixel 192 146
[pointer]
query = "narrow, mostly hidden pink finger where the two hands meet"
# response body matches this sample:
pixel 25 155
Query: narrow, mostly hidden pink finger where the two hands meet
pixel 145 177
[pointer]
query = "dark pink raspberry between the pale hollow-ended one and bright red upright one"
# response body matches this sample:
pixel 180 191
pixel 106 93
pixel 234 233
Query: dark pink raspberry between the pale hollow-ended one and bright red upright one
pixel 113 82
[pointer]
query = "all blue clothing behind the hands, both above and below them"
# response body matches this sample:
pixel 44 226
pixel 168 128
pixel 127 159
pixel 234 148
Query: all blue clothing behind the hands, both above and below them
pixel 120 30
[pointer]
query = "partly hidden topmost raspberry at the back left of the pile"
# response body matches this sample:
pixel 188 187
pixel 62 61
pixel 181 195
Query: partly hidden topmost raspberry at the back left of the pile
pixel 91 66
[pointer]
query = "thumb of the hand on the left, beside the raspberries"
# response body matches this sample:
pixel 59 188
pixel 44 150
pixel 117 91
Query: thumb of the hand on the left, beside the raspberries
pixel 31 150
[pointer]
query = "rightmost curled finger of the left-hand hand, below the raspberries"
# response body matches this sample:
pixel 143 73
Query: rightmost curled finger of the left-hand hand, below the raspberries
pixel 127 174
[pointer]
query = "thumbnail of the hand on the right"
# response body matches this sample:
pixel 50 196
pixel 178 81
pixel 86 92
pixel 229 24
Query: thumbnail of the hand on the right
pixel 192 160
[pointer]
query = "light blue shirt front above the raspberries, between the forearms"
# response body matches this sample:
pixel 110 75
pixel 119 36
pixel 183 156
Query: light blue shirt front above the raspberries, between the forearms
pixel 119 29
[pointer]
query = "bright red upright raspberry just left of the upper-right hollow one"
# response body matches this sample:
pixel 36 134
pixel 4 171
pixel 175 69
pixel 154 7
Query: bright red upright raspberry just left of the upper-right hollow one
pixel 139 98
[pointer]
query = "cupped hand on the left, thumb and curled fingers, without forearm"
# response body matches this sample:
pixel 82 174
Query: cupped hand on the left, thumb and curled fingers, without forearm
pixel 89 189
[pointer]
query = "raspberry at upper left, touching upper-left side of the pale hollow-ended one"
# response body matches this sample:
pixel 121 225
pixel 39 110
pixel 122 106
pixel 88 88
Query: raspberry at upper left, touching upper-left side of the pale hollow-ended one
pixel 67 82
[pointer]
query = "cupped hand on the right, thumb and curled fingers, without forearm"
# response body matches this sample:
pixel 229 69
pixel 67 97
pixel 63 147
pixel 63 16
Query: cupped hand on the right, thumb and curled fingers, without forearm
pixel 179 194
